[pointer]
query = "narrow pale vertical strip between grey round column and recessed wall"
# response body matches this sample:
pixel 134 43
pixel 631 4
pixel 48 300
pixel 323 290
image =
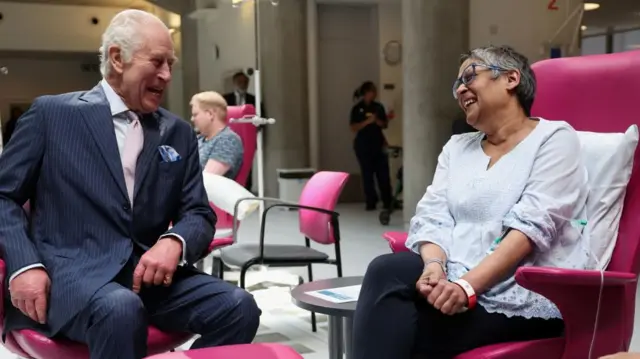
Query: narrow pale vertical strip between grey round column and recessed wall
pixel 312 78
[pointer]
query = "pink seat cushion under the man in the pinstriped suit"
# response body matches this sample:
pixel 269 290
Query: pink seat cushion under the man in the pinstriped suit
pixel 37 346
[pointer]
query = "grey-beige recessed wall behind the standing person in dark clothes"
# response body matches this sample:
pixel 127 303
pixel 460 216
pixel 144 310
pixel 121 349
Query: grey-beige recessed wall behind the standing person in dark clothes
pixel 347 56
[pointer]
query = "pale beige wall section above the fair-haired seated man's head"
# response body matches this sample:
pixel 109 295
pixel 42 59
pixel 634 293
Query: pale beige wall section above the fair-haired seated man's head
pixel 232 30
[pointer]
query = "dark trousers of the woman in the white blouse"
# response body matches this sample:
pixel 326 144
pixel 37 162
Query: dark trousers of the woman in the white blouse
pixel 392 321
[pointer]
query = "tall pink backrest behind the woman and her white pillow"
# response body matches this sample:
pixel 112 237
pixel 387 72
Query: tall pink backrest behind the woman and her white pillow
pixel 600 93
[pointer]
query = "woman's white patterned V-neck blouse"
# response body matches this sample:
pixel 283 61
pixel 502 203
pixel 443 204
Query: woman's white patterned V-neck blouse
pixel 539 188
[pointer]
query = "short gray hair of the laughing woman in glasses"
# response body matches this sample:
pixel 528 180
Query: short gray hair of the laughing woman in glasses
pixel 508 59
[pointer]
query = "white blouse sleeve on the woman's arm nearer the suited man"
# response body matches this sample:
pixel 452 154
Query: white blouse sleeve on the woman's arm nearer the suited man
pixel 433 222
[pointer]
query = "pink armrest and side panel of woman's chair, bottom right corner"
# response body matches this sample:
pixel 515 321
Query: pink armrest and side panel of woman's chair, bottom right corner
pixel 576 293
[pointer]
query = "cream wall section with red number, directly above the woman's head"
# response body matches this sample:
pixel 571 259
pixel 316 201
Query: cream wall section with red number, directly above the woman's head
pixel 529 26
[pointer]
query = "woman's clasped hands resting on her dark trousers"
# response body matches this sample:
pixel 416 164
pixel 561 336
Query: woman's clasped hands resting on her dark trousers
pixel 445 296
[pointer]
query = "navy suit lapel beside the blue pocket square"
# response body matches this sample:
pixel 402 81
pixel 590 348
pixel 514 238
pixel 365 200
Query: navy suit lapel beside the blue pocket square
pixel 152 127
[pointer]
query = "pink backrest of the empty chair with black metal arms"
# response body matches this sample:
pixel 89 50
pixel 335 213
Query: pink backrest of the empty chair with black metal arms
pixel 322 191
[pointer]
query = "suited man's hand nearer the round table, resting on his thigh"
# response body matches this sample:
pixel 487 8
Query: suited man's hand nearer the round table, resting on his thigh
pixel 158 264
